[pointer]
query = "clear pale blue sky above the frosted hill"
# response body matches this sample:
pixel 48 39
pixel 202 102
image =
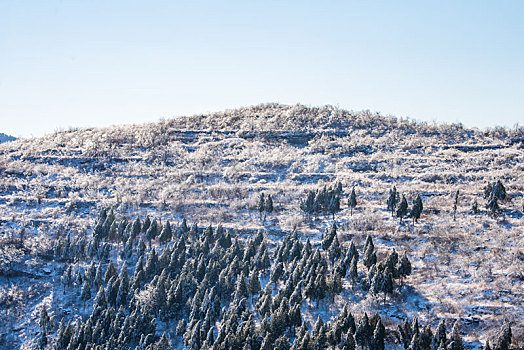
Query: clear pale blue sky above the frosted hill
pixel 98 62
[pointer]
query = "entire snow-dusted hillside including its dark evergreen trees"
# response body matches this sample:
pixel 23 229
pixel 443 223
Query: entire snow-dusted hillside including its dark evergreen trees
pixel 204 177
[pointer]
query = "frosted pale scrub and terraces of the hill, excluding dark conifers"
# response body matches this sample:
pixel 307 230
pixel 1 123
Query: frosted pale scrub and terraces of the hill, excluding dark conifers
pixel 211 169
